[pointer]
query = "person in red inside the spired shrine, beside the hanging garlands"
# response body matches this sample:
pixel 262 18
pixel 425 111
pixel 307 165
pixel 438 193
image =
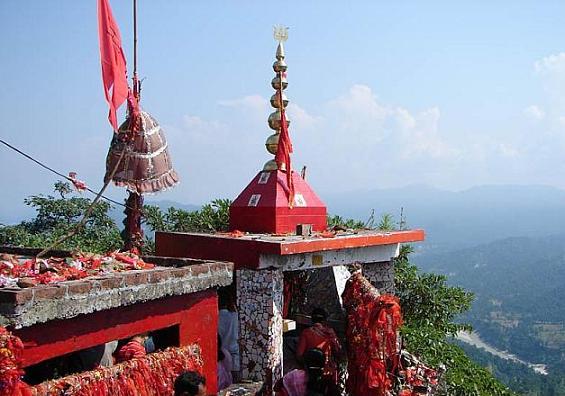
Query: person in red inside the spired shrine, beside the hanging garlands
pixel 320 335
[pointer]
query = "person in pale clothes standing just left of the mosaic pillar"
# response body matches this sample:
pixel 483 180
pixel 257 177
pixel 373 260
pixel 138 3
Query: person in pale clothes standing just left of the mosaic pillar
pixel 228 328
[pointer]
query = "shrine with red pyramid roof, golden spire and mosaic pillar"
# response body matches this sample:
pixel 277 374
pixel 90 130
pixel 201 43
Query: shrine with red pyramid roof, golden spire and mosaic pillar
pixel 278 226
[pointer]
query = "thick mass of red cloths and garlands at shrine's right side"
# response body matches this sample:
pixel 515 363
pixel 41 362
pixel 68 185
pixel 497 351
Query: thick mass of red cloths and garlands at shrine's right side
pixel 374 364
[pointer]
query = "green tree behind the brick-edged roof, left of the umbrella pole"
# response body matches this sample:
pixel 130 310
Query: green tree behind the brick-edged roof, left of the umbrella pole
pixel 56 217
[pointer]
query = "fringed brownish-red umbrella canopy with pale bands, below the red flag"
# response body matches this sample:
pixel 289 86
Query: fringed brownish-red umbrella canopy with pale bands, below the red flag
pixel 146 166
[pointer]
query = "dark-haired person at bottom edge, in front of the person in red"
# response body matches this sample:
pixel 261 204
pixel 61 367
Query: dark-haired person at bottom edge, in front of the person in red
pixel 309 381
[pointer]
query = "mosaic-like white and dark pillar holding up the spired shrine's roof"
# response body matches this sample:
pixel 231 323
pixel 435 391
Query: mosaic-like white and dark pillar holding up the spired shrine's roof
pixel 260 298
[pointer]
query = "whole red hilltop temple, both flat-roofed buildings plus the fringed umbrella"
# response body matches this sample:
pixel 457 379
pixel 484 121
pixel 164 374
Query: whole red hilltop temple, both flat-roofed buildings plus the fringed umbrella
pixel 279 260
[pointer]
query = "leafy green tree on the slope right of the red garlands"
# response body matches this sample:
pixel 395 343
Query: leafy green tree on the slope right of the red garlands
pixel 430 309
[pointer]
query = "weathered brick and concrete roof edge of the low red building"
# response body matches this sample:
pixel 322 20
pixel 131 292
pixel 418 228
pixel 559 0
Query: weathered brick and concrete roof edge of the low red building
pixel 26 307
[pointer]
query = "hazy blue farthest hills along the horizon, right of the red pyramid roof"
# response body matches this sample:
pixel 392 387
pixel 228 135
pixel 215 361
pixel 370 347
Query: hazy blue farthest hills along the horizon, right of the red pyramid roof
pixel 454 220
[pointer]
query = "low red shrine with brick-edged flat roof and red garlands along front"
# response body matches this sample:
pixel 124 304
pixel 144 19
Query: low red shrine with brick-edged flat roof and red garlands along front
pixel 173 299
